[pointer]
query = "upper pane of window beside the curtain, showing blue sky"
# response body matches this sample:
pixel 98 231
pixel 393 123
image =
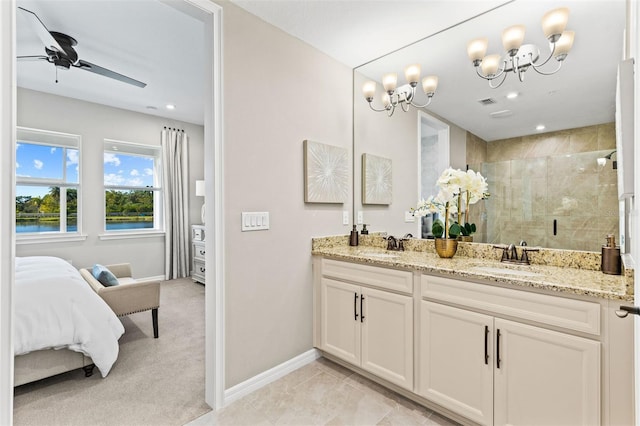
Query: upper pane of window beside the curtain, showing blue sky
pixel 128 170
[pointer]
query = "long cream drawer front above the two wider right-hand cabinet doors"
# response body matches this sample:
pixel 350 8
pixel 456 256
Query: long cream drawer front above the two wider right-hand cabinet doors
pixel 562 312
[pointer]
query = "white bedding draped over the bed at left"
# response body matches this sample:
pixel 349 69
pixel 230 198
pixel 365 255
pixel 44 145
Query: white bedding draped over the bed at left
pixel 55 308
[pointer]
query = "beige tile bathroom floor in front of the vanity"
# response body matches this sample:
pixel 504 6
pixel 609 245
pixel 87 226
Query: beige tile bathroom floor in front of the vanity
pixel 323 393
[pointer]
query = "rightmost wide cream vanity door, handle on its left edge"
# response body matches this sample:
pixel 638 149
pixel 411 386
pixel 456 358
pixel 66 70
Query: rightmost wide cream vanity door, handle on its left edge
pixel 545 377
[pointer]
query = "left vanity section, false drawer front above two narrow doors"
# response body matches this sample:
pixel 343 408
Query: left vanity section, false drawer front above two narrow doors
pixel 367 321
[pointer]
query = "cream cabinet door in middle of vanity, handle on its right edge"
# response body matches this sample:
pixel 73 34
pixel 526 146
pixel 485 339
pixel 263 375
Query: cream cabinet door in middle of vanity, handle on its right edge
pixel 456 360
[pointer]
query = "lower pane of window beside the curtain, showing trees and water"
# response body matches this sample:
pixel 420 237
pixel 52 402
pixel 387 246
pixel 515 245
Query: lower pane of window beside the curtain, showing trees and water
pixel 128 209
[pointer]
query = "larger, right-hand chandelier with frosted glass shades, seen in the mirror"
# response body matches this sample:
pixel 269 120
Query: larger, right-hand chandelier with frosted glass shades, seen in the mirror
pixel 520 57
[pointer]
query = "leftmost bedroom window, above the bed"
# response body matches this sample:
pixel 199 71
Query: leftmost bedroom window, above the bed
pixel 47 182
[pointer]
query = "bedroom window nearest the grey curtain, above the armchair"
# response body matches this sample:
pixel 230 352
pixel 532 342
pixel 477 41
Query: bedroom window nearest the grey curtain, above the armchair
pixel 132 187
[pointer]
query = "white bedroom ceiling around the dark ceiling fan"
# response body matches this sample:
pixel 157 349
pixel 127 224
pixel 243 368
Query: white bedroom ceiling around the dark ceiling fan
pixel 147 40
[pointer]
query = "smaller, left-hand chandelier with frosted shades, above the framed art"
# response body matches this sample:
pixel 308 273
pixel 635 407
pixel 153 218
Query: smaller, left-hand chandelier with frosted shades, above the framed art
pixel 403 96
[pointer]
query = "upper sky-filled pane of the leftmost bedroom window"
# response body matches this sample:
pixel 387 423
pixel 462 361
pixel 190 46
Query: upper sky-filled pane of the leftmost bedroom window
pixel 39 161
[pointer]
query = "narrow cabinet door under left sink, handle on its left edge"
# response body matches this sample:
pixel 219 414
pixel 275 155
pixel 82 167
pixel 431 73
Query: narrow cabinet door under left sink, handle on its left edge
pixel 387 336
